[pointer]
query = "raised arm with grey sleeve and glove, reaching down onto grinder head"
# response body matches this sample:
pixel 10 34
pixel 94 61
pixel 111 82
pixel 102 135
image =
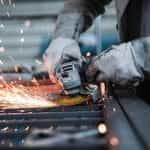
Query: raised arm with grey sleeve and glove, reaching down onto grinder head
pixel 75 18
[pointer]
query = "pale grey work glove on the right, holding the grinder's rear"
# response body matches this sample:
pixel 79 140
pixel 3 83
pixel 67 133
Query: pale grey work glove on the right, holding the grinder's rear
pixel 118 64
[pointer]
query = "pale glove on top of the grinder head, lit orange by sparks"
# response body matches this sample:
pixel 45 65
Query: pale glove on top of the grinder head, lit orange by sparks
pixel 61 50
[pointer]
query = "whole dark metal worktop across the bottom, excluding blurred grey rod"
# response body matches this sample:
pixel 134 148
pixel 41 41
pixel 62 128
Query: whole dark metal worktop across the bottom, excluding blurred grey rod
pixel 126 116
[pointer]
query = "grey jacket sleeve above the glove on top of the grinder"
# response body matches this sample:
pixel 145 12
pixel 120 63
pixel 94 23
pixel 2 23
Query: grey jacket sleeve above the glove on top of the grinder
pixel 77 16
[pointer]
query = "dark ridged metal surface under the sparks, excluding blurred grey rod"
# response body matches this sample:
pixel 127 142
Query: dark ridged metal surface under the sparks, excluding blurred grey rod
pixel 14 125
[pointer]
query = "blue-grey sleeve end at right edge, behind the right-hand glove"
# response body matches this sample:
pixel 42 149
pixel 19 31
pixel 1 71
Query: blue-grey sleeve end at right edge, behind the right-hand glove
pixel 141 54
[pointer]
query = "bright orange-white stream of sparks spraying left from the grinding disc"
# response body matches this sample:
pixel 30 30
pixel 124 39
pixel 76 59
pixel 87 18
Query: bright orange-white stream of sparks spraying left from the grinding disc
pixel 18 96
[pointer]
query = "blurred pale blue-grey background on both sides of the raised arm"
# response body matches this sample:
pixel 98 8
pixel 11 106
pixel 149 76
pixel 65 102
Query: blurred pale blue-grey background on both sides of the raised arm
pixel 26 27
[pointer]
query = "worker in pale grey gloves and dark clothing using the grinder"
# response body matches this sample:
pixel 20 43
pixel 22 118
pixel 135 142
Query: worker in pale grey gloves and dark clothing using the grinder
pixel 126 63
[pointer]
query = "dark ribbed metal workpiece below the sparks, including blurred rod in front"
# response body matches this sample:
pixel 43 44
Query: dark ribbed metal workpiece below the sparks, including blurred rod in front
pixel 72 123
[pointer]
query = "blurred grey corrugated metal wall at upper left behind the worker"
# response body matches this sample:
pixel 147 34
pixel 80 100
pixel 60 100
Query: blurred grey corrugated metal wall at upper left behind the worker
pixel 26 26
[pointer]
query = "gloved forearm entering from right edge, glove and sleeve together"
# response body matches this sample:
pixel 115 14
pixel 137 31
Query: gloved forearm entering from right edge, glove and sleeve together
pixel 125 64
